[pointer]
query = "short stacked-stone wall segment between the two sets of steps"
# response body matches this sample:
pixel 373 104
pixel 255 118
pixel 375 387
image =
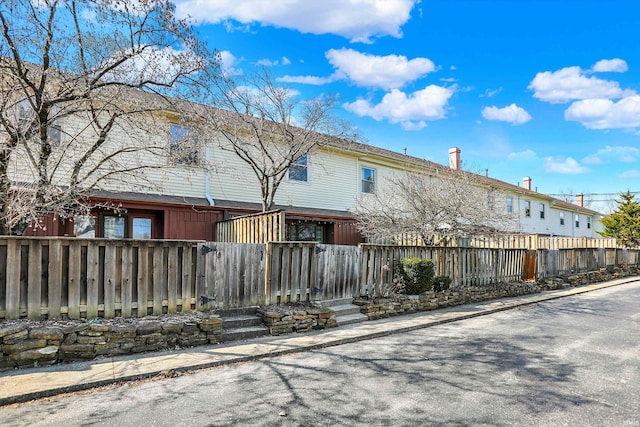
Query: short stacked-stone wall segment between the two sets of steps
pixel 282 320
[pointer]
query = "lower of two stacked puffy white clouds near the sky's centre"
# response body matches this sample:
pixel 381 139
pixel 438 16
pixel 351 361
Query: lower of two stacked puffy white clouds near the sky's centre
pixel 407 109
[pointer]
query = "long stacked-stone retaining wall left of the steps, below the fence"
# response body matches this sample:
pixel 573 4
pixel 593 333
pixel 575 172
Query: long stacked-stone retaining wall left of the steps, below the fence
pixel 31 344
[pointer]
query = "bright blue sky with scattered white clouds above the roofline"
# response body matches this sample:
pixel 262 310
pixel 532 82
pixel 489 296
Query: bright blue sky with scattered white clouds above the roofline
pixel 545 88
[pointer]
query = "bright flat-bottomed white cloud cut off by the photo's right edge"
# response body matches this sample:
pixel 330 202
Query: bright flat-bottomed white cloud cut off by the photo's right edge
pixel 606 114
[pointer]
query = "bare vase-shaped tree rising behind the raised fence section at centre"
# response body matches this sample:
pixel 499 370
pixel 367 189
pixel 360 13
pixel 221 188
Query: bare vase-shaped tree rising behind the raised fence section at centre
pixel 267 127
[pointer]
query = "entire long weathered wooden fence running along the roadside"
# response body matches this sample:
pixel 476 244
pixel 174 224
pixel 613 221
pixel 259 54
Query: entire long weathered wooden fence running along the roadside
pixel 87 278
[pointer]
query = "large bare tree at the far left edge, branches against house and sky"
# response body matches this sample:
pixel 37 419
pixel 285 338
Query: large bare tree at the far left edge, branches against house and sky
pixel 81 83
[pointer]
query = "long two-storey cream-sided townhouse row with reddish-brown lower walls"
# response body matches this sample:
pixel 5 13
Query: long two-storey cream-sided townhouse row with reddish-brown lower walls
pixel 202 185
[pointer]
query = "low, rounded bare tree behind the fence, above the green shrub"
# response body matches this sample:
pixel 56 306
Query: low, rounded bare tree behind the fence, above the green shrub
pixel 438 208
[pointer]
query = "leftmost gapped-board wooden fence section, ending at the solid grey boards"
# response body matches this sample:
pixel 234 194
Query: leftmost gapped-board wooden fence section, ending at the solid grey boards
pixel 95 278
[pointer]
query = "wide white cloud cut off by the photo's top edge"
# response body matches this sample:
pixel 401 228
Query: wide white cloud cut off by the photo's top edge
pixel 357 20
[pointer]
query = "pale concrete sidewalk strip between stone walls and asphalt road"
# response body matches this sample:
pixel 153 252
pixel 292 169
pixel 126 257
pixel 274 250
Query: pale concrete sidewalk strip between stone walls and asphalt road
pixel 26 384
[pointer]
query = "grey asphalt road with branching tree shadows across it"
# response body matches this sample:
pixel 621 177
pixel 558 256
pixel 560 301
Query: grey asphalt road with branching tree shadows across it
pixel 573 361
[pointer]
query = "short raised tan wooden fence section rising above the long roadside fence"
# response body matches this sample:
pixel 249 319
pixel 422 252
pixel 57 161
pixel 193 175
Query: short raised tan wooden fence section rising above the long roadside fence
pixel 256 228
